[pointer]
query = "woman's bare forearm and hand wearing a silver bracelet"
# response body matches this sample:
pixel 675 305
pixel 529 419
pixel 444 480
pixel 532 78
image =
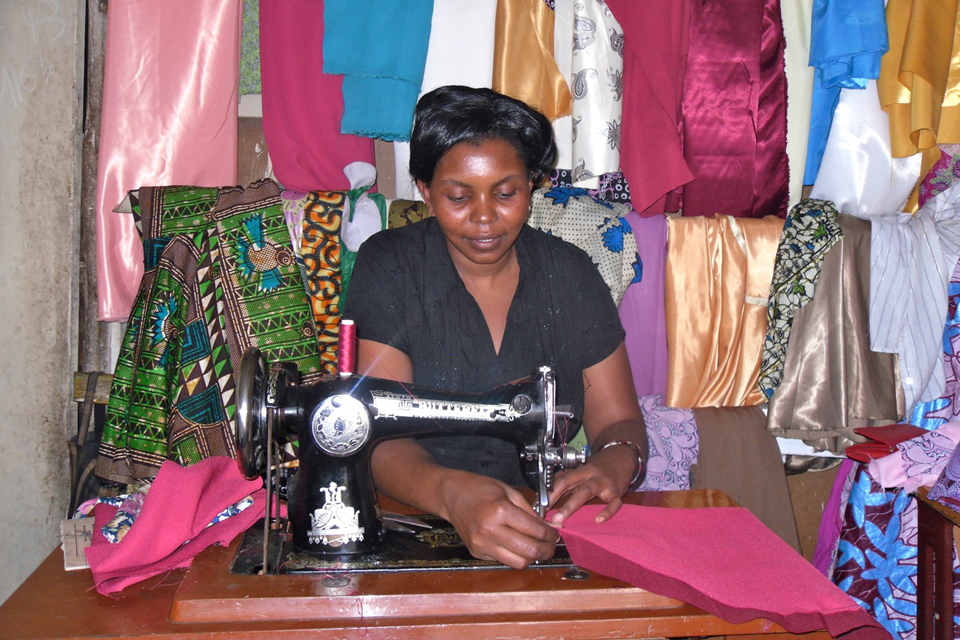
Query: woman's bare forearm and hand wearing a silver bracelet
pixel 611 415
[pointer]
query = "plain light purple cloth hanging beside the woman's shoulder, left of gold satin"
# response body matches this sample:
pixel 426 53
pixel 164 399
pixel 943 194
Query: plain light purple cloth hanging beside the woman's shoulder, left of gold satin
pixel 641 309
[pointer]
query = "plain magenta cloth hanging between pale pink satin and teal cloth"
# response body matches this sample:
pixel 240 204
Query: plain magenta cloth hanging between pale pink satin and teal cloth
pixel 302 106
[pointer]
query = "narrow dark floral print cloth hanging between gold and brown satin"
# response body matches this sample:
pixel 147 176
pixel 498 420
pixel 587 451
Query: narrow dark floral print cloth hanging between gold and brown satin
pixel 809 231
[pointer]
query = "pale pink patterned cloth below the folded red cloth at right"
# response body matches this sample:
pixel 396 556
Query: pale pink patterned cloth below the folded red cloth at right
pixel 918 462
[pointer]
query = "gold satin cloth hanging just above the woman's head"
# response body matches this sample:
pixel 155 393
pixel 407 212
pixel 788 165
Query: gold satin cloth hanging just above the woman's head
pixel 523 63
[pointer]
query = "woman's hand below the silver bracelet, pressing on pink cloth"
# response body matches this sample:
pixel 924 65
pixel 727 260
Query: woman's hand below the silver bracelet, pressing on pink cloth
pixel 606 476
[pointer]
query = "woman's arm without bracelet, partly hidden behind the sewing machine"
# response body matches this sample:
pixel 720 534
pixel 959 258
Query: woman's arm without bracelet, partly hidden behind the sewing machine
pixel 493 519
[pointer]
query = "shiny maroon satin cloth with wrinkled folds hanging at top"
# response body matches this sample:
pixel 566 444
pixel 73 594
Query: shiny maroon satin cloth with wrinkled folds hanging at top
pixel 735 110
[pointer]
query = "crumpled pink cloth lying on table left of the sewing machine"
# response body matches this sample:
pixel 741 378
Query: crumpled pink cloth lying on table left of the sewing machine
pixel 179 506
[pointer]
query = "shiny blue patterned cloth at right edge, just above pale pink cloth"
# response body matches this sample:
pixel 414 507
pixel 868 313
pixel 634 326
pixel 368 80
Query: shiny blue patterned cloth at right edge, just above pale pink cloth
pixel 932 414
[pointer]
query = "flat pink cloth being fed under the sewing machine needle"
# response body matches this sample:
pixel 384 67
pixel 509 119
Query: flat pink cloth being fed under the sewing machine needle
pixel 722 560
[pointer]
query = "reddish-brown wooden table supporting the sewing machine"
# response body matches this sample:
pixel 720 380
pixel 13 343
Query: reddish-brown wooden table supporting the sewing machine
pixel 208 599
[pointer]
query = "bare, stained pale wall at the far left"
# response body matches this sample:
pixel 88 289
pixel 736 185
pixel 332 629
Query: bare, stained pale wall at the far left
pixel 41 64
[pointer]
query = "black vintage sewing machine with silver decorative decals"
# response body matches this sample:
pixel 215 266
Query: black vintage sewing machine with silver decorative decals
pixel 333 508
